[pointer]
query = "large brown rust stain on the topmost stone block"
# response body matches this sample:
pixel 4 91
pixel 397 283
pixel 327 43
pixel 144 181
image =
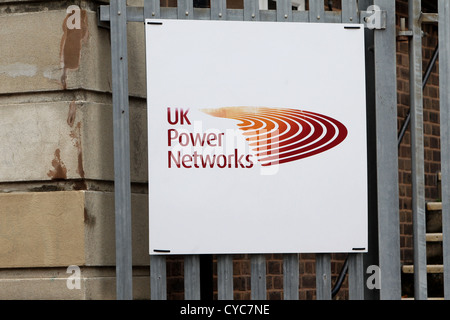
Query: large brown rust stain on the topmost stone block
pixel 71 45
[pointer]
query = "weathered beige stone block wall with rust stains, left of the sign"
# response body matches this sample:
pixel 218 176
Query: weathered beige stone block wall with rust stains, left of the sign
pixel 56 158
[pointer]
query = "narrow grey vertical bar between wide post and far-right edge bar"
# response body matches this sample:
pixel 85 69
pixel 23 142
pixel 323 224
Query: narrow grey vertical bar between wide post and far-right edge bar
pixel 417 152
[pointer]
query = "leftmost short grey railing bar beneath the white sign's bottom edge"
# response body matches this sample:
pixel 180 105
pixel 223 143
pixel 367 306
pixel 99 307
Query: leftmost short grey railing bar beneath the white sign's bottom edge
pixel 158 277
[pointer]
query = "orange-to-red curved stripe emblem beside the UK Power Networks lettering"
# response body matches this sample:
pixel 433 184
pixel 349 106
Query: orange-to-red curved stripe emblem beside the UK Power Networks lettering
pixel 280 135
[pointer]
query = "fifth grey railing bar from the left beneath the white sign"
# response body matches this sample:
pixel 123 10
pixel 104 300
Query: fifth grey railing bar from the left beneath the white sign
pixel 291 276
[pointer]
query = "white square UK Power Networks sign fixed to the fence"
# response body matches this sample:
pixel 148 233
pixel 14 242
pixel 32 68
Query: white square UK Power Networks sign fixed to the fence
pixel 257 137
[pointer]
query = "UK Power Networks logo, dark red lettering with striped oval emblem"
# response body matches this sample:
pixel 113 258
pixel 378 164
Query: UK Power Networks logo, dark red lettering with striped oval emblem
pixel 274 136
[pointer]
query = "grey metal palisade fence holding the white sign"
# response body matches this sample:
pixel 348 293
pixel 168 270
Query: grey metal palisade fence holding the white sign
pixel 381 83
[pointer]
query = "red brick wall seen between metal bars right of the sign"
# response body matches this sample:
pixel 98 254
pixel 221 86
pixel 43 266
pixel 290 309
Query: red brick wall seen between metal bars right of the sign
pixel 431 128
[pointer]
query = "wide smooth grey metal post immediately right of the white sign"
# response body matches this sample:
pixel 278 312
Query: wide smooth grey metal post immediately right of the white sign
pixel 387 154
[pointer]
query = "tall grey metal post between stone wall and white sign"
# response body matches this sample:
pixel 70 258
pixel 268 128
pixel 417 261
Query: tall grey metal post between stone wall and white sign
pixel 122 187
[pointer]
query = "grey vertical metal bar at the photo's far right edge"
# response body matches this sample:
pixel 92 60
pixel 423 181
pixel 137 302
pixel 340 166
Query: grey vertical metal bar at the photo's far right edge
pixel 444 91
